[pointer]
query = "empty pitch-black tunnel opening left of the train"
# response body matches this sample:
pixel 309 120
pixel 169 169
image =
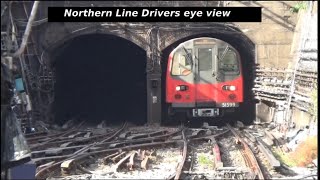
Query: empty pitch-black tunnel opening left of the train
pixel 99 78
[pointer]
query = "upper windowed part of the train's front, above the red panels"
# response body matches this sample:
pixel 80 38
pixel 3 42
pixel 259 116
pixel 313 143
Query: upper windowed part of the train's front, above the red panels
pixel 214 60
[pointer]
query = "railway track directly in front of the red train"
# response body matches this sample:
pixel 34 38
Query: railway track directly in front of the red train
pixel 203 160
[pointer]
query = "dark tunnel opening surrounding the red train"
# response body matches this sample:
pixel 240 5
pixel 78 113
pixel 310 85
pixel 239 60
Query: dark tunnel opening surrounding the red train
pixel 246 49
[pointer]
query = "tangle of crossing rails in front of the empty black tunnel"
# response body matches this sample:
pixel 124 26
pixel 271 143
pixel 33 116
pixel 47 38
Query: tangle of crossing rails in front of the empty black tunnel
pixel 68 153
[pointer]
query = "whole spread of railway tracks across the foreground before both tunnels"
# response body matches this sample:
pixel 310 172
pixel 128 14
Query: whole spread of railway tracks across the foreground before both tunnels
pixel 159 152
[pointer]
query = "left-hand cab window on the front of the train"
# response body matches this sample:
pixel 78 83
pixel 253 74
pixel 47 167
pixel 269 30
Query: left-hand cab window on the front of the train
pixel 182 62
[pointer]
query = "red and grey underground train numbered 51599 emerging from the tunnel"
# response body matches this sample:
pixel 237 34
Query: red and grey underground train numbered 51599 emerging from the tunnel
pixel 204 79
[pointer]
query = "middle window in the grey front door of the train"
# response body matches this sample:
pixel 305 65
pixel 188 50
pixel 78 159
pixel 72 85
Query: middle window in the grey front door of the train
pixel 205 59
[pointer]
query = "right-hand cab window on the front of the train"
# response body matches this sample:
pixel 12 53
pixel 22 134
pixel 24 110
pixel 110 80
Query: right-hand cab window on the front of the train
pixel 228 60
